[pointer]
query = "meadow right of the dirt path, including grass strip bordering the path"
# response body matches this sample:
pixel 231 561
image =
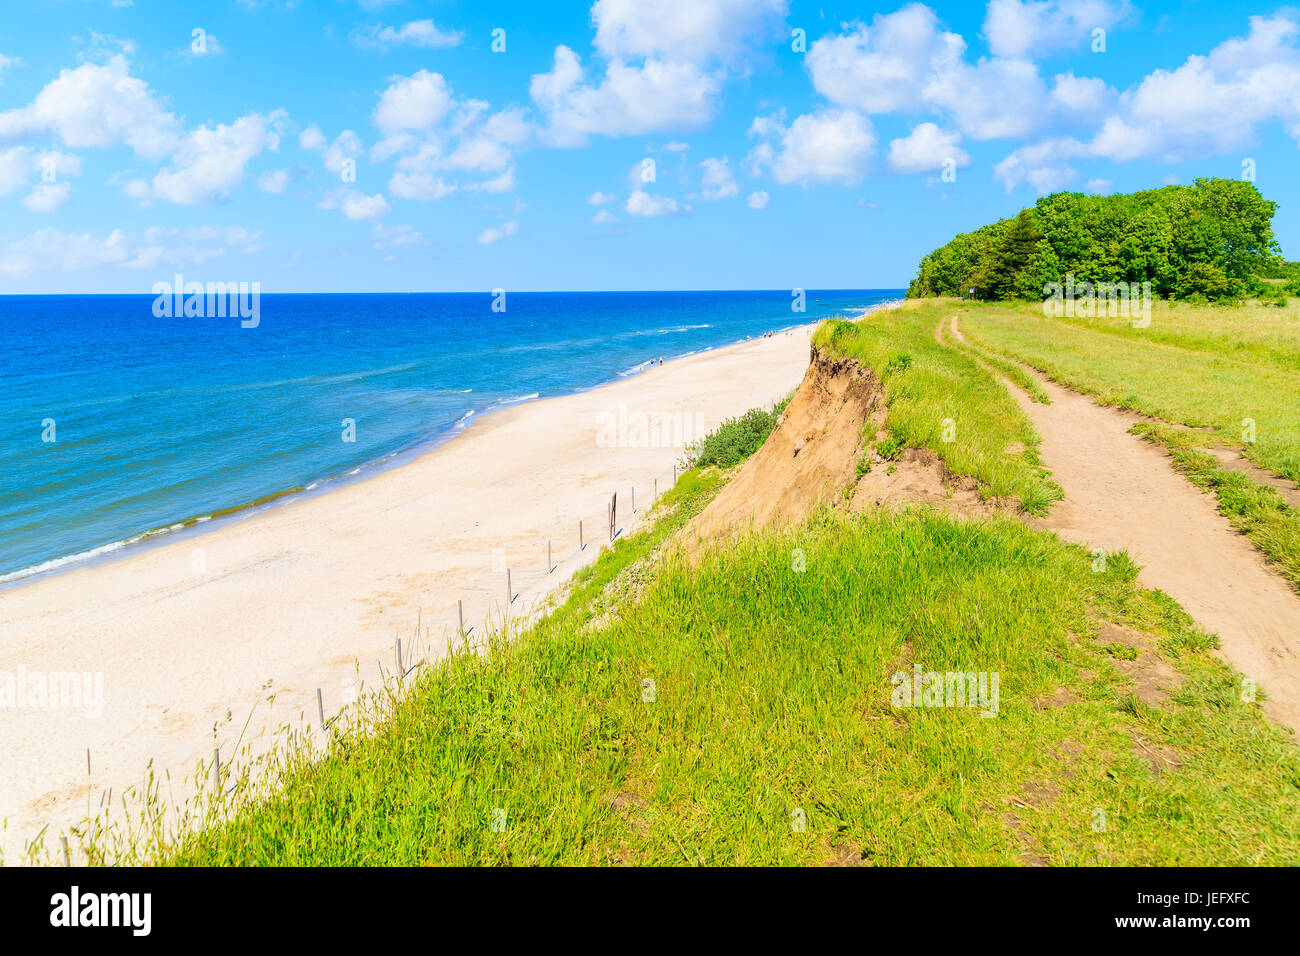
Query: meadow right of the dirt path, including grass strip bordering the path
pixel 1208 367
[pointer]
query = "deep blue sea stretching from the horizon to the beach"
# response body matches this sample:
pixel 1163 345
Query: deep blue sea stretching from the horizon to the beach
pixel 118 427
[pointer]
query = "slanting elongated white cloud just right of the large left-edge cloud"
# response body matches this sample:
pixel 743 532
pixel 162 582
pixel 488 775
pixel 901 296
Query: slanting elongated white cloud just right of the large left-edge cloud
pixel 211 162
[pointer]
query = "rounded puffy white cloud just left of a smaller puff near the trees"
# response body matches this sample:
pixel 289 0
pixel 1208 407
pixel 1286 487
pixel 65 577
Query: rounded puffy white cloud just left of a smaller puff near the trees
pixel 829 146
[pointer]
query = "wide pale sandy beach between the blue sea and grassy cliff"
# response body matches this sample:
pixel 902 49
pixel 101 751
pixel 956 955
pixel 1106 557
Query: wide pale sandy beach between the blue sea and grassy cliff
pixel 194 637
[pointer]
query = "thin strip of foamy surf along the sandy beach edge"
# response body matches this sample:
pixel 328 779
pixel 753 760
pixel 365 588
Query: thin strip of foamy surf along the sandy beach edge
pixel 220 517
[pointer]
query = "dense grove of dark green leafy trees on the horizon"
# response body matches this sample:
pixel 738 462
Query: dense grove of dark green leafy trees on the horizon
pixel 1211 241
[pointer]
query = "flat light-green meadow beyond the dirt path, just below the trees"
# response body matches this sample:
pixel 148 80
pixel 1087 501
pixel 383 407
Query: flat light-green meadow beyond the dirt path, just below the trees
pixel 1215 367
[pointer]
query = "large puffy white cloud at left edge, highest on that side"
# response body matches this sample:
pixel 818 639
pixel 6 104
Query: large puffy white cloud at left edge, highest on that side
pixel 98 106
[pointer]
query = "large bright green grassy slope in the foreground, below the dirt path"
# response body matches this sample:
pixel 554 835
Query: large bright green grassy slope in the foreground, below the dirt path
pixel 772 703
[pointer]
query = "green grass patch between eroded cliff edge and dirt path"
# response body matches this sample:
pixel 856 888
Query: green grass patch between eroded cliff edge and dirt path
pixel 928 386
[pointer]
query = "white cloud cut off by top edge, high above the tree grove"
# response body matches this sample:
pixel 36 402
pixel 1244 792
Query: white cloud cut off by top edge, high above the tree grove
pixel 1028 28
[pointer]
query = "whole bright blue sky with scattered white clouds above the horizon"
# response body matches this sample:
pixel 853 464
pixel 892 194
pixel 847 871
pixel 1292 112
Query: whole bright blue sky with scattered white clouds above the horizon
pixel 366 146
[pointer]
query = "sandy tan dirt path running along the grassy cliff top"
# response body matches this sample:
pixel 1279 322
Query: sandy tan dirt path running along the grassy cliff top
pixel 1123 495
